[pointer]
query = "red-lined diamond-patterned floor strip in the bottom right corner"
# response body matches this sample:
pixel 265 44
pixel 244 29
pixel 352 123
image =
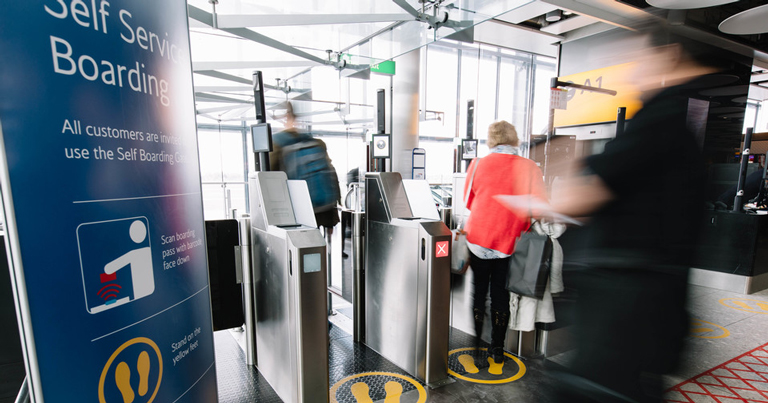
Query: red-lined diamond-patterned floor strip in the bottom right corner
pixel 742 379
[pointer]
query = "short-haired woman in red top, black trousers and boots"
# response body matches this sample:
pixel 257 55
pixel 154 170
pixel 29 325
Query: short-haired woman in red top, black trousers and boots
pixel 493 229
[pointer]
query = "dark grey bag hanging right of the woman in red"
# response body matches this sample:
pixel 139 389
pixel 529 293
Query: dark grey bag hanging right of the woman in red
pixel 529 265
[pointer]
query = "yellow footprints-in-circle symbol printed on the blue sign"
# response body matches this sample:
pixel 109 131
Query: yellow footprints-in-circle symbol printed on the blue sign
pixel 122 373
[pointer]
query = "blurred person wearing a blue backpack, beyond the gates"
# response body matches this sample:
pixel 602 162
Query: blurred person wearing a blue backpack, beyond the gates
pixel 303 157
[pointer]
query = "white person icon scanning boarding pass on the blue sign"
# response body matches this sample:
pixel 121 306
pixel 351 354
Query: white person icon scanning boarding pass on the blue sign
pixel 139 260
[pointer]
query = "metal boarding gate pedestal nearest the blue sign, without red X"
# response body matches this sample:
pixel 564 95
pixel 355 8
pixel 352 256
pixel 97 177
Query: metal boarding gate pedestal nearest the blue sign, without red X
pixel 289 283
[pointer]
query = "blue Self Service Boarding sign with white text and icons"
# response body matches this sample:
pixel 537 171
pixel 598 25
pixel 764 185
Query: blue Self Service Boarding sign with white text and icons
pixel 102 200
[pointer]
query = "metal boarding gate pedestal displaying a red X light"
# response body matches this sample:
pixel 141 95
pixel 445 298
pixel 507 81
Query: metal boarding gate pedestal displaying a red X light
pixel 407 281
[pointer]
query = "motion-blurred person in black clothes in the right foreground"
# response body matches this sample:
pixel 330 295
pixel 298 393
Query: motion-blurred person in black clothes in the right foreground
pixel 644 196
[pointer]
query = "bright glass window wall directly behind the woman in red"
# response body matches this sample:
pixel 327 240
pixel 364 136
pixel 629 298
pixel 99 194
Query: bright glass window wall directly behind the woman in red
pixel 502 84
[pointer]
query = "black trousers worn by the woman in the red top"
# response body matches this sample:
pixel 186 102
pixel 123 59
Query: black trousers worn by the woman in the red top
pixel 493 273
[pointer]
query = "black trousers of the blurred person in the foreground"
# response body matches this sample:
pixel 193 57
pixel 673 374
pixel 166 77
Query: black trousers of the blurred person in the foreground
pixel 630 329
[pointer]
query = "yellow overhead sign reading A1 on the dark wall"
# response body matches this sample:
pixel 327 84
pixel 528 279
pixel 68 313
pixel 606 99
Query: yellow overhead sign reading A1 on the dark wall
pixel 585 107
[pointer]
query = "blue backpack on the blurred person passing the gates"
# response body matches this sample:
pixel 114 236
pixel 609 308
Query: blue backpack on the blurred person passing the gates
pixel 305 158
